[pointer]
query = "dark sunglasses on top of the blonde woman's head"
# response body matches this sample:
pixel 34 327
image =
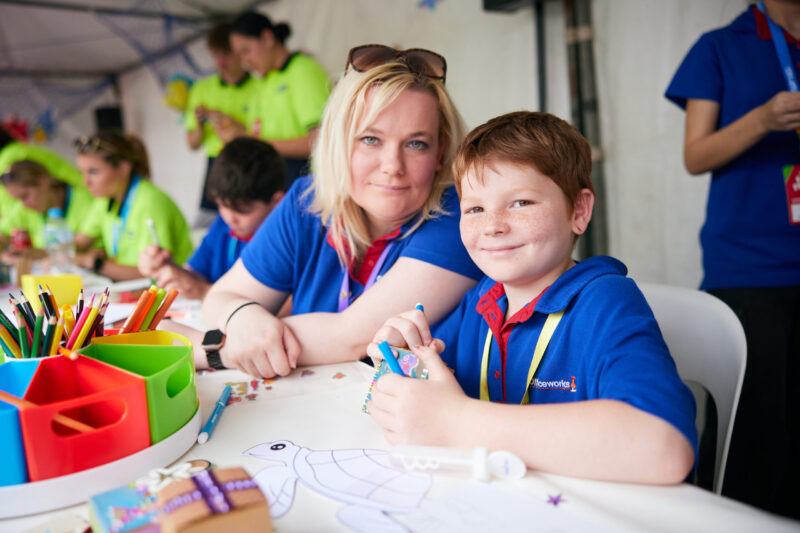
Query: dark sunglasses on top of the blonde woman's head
pixel 418 60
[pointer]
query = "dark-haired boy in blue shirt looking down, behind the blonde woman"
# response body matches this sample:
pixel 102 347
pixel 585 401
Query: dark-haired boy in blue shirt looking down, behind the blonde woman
pixel 246 180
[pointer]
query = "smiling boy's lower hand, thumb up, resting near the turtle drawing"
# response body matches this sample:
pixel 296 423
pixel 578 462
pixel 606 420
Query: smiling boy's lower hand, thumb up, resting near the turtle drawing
pixel 418 411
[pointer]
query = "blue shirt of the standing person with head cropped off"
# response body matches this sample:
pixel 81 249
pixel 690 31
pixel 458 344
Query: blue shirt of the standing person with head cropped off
pixel 747 238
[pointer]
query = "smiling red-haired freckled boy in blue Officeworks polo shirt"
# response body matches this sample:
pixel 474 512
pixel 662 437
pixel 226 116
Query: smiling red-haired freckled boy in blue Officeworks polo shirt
pixel 607 402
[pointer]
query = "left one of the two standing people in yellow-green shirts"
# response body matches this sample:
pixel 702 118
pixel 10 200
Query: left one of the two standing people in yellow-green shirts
pixel 227 92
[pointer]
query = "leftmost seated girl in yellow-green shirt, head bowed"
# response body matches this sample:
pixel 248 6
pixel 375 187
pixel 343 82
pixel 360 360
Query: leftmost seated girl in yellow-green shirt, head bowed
pixel 39 191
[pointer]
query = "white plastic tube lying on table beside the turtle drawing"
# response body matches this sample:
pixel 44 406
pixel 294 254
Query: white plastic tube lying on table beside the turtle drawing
pixel 478 462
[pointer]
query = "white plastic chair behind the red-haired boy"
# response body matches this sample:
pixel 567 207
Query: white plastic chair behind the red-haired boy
pixel 707 342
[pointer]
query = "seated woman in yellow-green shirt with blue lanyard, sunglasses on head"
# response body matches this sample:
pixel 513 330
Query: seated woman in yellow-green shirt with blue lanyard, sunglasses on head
pixel 115 168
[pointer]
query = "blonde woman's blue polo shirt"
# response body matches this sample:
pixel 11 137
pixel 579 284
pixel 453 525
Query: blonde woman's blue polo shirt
pixel 290 252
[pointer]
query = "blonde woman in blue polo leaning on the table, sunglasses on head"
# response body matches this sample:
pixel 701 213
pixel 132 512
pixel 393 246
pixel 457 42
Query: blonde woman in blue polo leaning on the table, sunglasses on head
pixel 372 232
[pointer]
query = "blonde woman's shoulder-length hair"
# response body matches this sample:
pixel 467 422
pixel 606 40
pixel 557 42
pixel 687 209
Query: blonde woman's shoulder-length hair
pixel 346 109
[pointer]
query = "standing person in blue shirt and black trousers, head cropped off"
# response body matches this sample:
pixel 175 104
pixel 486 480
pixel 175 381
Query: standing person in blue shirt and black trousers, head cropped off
pixel 741 122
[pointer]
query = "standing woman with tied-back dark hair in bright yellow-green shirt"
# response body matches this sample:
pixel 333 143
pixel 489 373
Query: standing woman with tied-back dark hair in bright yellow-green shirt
pixel 291 95
